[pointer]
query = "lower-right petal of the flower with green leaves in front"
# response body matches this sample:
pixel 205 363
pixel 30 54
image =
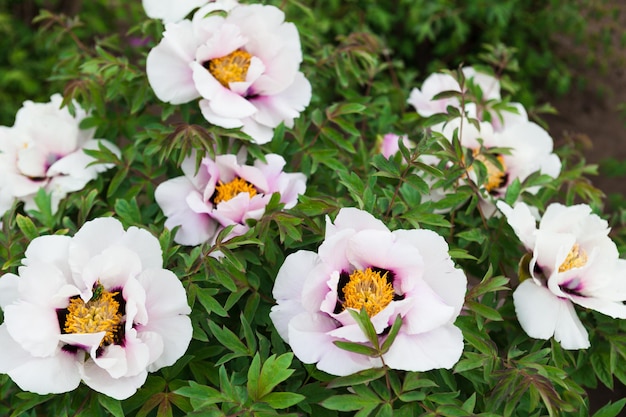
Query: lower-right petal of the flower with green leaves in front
pixel 440 348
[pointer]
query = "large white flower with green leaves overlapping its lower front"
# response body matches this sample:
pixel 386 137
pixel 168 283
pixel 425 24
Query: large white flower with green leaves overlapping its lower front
pixel 361 264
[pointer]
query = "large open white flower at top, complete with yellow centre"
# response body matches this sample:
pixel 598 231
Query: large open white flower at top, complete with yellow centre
pixel 244 66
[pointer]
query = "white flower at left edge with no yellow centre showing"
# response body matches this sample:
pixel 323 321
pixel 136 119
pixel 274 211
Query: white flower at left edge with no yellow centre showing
pixel 44 149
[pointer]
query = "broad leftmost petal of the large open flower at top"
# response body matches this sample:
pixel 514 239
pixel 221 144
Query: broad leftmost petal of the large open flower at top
pixel 168 64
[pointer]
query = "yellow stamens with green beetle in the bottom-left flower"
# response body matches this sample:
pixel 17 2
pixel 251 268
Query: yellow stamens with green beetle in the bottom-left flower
pixel 100 314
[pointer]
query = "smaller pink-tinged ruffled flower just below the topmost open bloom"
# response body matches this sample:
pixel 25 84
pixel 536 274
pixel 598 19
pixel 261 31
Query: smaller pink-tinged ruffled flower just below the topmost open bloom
pixel 224 192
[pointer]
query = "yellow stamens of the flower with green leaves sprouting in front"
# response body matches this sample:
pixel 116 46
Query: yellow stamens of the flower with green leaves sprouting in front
pixel 368 289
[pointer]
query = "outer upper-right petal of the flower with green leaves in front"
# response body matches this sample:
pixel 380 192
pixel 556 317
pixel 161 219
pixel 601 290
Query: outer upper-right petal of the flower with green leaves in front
pixel 448 282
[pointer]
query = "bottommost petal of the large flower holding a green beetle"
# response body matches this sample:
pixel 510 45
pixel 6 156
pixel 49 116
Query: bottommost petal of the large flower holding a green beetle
pixel 100 380
